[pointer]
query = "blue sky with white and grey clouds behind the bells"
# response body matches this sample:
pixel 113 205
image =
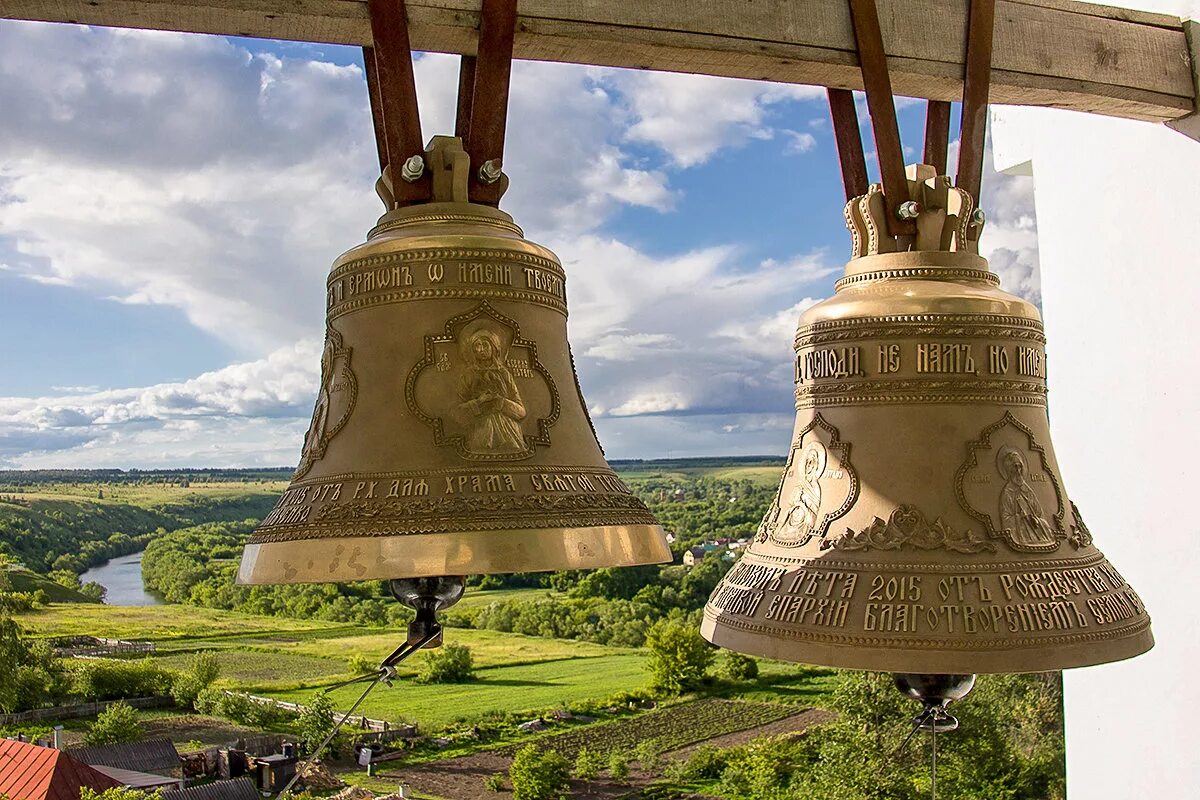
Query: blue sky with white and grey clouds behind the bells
pixel 171 204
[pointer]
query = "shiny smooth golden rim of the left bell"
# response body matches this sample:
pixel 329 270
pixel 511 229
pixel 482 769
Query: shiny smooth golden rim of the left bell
pixel 343 560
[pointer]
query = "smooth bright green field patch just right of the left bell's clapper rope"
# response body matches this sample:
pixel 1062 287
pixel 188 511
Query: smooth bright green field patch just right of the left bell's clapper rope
pixel 495 690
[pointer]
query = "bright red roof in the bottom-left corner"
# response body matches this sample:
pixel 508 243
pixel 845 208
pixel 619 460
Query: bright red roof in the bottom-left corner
pixel 35 773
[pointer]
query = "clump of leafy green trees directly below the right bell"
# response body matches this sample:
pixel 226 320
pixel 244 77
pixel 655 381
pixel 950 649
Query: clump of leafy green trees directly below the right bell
pixel 1010 748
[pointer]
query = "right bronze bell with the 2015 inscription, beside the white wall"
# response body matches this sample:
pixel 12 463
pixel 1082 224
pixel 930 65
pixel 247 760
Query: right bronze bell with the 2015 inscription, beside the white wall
pixel 922 525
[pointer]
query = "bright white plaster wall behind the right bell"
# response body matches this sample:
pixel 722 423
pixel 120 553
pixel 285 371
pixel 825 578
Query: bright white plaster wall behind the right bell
pixel 1119 225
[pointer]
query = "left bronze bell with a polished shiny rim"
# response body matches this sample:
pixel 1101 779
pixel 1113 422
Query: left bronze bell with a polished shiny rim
pixel 449 436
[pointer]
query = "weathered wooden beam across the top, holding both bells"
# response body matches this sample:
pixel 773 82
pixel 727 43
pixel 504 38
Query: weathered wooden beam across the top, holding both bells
pixel 1047 52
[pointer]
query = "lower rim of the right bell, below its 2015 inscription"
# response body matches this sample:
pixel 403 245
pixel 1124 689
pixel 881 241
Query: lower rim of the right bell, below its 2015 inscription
pixel 928 659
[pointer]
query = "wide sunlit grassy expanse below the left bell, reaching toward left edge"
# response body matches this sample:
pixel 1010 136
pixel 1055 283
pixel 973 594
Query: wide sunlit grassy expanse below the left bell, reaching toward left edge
pixel 284 658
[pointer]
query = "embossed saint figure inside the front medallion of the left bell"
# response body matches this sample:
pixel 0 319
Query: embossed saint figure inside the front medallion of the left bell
pixel 490 405
